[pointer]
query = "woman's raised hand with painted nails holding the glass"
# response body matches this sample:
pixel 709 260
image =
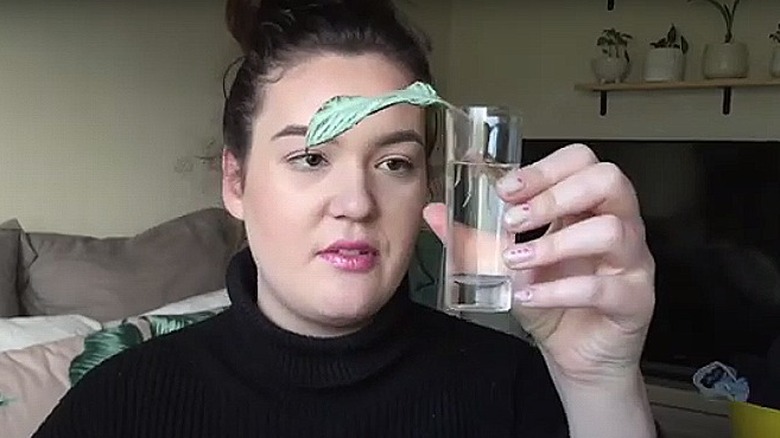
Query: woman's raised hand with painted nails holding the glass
pixel 584 290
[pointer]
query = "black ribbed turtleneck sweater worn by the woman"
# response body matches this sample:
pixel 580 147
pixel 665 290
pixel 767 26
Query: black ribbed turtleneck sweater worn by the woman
pixel 413 372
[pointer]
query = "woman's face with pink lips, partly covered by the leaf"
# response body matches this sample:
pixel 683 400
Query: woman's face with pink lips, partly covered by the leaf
pixel 331 230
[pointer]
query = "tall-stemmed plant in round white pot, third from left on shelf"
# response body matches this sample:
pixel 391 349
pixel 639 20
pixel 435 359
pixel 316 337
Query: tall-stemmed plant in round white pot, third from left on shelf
pixel 729 59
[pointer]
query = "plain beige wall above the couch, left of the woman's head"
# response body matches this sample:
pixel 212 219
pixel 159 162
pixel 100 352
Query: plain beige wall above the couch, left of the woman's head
pixel 103 106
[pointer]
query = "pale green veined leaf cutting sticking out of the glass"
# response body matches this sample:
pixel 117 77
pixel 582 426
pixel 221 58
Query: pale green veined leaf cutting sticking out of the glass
pixel 342 113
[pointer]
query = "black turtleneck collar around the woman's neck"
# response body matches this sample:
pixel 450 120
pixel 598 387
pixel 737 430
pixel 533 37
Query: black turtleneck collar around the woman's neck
pixel 269 353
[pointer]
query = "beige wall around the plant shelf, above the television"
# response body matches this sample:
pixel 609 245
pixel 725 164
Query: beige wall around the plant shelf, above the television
pixel 529 54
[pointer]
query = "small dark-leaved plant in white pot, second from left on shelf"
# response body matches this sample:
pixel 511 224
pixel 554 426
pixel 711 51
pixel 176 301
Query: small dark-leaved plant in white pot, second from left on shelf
pixel 665 62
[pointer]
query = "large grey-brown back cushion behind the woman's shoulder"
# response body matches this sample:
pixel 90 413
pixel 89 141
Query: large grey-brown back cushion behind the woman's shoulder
pixel 112 278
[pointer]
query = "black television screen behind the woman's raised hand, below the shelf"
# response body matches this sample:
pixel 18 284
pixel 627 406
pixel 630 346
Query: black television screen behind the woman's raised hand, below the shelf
pixel 712 212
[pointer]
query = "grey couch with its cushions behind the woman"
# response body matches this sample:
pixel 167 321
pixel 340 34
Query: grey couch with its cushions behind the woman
pixel 68 302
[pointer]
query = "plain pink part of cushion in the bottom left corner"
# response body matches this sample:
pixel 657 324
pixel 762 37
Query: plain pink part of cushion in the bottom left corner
pixel 32 381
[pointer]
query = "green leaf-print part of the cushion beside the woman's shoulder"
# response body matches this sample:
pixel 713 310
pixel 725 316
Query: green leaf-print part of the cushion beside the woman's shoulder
pixel 105 343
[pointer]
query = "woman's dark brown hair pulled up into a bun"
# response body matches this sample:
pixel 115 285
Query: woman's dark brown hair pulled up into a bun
pixel 277 33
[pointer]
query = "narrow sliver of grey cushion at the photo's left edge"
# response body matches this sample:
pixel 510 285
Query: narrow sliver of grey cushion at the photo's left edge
pixel 9 261
